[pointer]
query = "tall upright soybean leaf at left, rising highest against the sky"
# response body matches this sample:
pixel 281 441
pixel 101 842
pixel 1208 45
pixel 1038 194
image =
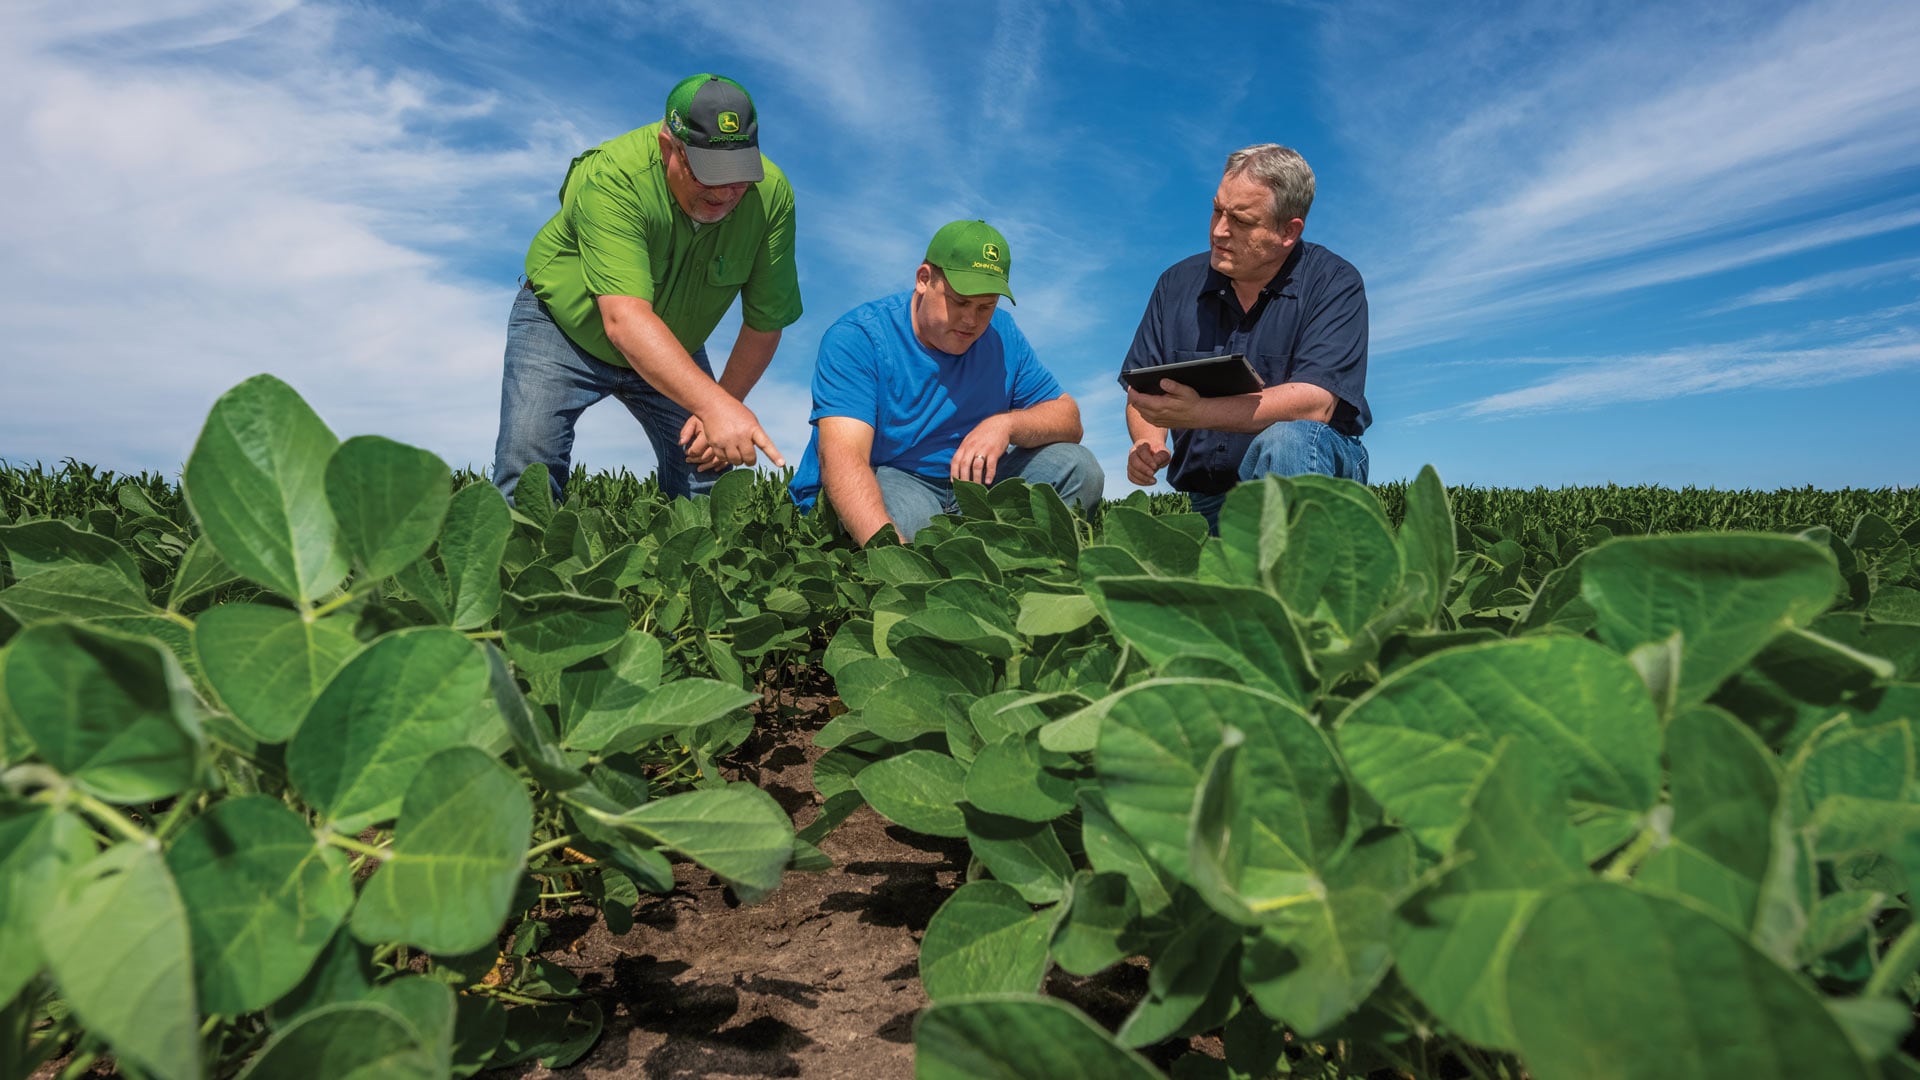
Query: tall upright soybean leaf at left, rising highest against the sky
pixel 258 485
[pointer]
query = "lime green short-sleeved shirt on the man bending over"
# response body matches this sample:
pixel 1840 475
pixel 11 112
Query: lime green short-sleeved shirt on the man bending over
pixel 621 233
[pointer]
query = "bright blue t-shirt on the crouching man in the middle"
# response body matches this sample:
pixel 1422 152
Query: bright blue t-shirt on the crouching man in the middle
pixel 919 401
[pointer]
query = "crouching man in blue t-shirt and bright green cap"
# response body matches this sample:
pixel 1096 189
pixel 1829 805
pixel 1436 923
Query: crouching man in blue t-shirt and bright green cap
pixel 936 385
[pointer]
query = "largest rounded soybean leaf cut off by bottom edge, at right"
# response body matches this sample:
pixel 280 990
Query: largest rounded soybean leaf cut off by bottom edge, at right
pixel 1704 1002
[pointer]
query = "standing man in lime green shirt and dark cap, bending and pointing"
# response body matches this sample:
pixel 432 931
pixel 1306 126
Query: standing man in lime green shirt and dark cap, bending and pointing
pixel 658 233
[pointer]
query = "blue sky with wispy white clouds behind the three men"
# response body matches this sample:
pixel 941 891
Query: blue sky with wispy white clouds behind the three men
pixel 1604 243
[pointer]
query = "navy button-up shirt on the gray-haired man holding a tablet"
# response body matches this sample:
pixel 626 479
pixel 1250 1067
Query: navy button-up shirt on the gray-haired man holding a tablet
pixel 1308 326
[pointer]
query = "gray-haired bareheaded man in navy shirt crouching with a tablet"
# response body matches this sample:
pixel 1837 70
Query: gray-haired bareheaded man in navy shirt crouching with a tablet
pixel 1295 310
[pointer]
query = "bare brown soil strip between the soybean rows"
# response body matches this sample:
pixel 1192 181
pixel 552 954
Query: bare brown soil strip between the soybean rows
pixel 817 981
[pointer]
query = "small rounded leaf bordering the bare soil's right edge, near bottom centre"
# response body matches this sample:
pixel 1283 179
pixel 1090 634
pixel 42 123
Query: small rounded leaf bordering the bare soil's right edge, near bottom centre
pixel 984 941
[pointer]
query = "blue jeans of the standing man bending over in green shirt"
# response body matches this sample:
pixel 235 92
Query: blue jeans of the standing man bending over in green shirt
pixel 550 381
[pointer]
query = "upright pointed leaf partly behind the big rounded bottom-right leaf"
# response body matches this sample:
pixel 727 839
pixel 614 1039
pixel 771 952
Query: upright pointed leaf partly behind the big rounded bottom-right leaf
pixel 1454 943
